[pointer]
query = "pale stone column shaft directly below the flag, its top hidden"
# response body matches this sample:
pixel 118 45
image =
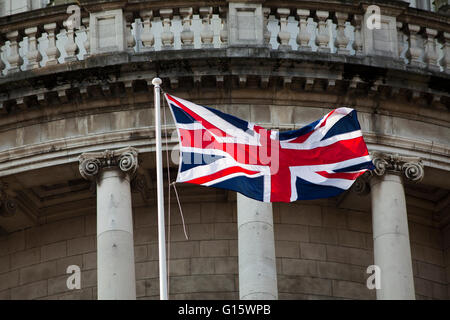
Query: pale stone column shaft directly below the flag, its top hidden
pixel 257 264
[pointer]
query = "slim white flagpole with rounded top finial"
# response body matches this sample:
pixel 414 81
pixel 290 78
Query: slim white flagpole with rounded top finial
pixel 160 188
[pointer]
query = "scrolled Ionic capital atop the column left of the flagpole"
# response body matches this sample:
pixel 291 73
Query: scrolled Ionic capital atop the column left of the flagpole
pixel 125 159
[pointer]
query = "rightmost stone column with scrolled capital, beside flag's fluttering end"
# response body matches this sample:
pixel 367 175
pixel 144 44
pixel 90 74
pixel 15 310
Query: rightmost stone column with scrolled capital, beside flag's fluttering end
pixel 392 251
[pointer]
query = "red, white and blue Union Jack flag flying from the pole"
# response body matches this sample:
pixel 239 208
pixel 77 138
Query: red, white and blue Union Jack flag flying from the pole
pixel 219 150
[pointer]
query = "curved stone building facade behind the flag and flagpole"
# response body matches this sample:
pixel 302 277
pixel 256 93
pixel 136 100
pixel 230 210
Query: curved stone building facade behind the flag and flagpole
pixel 68 90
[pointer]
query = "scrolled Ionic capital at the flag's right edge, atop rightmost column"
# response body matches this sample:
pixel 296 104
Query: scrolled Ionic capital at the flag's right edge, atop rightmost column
pixel 410 168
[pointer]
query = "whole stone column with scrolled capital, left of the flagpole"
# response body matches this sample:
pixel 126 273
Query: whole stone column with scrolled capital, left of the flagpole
pixel 112 171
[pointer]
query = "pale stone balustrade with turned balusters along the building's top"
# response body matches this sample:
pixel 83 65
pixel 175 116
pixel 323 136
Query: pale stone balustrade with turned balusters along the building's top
pixel 42 38
